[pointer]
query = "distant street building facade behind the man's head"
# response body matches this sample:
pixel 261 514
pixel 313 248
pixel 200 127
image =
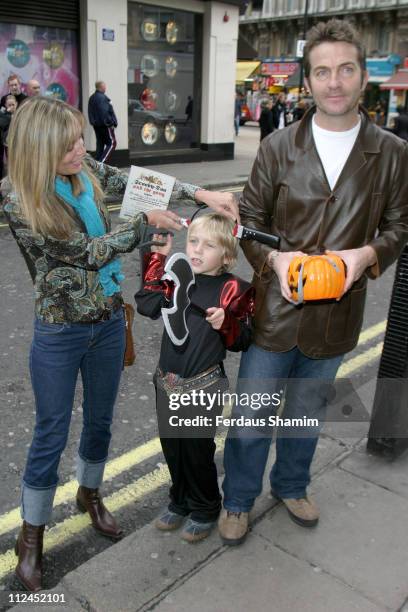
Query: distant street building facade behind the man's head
pixel 274 27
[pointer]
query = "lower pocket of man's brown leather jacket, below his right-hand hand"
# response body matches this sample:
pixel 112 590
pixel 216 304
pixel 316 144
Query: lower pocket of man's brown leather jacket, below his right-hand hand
pixel 346 317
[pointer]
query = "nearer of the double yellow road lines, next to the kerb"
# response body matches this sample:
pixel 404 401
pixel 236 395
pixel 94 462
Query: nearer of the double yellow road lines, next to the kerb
pixel 73 525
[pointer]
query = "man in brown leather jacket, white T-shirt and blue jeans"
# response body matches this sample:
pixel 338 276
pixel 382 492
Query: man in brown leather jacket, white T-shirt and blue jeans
pixel 333 181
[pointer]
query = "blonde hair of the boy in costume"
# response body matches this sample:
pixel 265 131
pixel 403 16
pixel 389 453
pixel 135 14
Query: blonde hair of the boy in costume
pixel 221 229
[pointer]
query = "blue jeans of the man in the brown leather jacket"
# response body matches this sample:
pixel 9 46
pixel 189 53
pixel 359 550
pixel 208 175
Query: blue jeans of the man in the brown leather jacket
pixel 245 457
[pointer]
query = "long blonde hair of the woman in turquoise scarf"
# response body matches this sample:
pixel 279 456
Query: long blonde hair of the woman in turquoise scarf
pixel 42 132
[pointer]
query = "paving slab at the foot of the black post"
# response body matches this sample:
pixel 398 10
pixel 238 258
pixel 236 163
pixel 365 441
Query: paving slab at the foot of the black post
pixel 392 475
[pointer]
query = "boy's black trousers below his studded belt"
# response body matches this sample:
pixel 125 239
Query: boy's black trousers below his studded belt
pixel 190 461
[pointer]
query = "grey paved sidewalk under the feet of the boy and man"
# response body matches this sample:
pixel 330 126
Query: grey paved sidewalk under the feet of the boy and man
pixel 356 559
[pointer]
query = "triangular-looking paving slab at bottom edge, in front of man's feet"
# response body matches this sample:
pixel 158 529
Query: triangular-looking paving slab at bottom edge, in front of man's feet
pixel 258 576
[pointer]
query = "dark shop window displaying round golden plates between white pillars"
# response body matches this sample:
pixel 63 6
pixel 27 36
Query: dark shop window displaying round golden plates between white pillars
pixel 162 109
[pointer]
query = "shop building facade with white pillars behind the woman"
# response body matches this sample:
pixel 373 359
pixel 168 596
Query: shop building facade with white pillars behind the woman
pixel 169 67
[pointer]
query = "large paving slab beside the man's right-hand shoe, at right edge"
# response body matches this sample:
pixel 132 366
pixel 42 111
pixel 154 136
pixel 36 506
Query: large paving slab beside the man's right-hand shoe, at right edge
pixel 361 539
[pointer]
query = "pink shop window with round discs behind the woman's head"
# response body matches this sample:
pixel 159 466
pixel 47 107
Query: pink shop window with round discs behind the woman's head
pixel 49 55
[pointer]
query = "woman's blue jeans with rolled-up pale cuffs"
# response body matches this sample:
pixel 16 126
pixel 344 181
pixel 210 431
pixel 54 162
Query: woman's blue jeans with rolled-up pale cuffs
pixel 58 353
